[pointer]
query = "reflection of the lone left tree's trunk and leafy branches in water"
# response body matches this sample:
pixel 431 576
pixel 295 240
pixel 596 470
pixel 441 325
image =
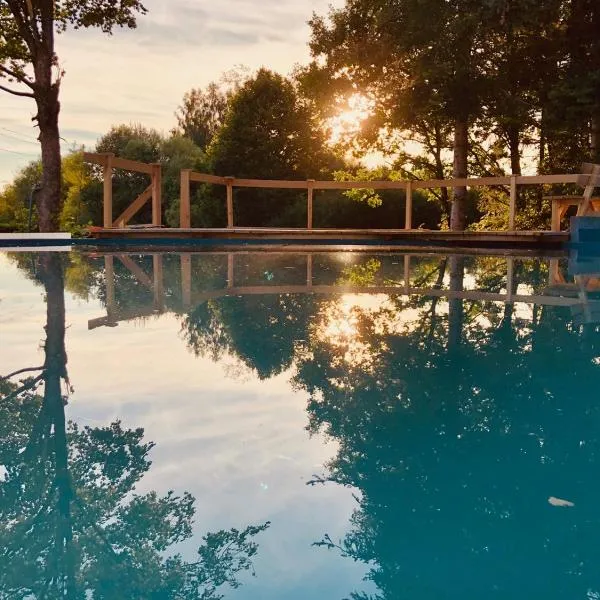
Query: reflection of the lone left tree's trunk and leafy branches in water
pixel 73 525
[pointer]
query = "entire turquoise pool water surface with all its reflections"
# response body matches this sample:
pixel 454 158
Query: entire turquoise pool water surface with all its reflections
pixel 334 425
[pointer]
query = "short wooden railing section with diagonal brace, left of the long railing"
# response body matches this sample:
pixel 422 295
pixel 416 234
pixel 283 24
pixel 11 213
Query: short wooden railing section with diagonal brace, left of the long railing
pixel 109 162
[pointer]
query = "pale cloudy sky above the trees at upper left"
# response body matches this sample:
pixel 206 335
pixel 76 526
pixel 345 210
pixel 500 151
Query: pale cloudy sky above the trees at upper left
pixel 140 76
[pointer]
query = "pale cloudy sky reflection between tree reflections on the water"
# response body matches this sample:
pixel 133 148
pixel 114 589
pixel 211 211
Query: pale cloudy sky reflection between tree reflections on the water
pixel 239 446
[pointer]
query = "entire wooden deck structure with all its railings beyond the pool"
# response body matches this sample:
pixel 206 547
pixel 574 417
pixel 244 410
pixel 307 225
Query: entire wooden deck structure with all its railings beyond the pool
pixel 118 227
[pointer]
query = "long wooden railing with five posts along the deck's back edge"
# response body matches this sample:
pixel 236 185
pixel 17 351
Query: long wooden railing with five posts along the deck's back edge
pixel 188 177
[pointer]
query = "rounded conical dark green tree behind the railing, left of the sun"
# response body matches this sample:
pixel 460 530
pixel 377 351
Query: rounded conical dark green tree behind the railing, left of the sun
pixel 268 133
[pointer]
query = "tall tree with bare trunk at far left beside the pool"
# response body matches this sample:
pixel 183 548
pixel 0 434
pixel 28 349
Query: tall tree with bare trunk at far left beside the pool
pixel 28 59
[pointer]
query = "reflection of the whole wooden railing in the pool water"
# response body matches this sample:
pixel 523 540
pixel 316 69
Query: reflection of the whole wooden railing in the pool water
pixel 558 293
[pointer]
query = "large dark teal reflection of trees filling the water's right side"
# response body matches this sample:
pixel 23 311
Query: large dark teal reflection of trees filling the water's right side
pixel 455 447
